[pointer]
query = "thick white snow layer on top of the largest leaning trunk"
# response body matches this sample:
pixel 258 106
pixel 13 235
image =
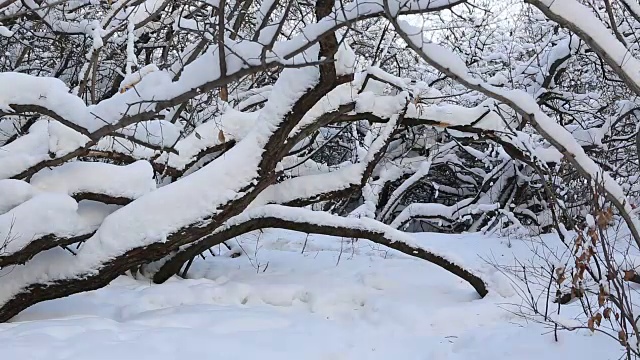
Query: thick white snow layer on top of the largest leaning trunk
pixel 192 199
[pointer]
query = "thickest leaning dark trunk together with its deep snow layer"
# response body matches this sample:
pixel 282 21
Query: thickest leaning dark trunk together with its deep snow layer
pixel 134 234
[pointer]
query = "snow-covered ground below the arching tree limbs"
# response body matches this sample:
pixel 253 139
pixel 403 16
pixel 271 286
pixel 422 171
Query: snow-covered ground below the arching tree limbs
pixel 337 300
